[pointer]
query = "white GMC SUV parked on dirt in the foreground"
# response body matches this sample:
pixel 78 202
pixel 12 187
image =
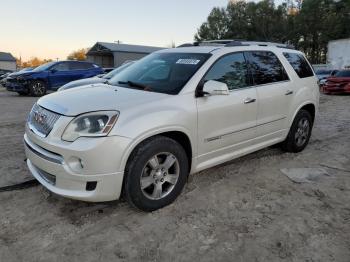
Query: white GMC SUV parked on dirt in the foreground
pixel 170 114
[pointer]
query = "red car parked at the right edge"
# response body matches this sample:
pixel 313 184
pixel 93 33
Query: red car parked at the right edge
pixel 338 84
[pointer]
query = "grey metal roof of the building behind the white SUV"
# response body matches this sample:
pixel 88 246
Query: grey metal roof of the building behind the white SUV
pixel 114 47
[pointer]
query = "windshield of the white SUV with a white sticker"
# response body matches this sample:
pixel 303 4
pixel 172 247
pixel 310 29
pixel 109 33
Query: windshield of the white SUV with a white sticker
pixel 161 72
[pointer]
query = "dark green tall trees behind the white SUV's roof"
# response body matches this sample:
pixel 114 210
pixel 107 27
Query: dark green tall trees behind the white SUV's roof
pixel 309 24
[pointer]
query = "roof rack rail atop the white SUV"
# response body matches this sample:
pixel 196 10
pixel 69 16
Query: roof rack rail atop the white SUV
pixel 231 42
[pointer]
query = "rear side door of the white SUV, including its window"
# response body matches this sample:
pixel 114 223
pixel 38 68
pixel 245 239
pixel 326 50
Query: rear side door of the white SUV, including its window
pixel 274 92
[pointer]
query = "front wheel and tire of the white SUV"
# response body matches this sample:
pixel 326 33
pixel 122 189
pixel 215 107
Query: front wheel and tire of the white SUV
pixel 149 162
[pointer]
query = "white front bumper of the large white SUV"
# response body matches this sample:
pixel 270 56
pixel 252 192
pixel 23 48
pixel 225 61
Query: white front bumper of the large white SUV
pixel 87 169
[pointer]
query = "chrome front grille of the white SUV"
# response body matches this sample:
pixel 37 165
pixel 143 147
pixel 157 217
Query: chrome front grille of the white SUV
pixel 41 120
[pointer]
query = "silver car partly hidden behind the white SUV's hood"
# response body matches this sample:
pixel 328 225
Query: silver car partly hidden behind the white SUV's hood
pixel 97 79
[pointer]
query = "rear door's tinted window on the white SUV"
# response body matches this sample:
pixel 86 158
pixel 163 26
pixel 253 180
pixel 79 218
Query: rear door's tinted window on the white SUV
pixel 266 68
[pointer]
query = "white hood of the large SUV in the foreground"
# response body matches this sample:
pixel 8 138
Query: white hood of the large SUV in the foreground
pixel 91 98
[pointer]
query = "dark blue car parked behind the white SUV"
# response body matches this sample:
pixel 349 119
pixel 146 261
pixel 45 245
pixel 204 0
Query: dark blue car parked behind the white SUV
pixel 50 76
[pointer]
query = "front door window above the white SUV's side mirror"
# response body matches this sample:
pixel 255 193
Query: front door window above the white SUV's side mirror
pixel 231 70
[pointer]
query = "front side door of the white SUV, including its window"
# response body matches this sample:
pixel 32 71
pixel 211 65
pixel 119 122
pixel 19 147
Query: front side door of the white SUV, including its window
pixel 226 123
